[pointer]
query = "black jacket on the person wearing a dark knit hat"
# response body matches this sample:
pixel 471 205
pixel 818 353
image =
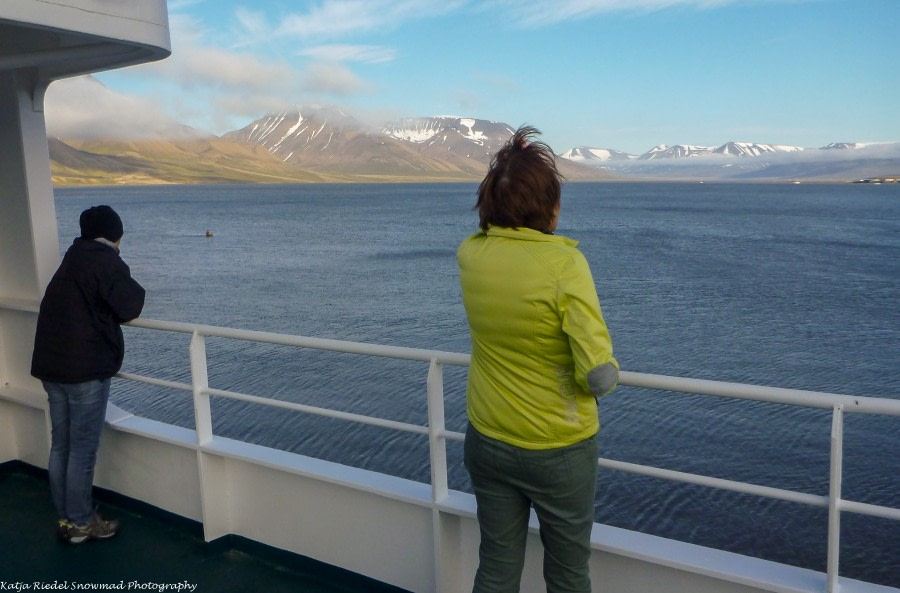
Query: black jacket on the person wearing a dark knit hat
pixel 78 334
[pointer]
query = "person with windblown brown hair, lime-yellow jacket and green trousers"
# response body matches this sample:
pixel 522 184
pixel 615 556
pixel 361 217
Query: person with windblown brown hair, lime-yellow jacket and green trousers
pixel 541 355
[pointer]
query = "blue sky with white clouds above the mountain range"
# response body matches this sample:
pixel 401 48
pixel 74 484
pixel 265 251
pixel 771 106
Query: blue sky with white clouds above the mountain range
pixel 619 74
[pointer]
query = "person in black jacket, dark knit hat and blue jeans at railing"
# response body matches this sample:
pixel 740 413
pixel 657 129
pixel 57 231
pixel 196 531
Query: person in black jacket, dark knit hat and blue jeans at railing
pixel 78 347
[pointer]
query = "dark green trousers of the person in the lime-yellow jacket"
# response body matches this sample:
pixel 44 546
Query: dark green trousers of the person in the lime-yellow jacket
pixel 560 484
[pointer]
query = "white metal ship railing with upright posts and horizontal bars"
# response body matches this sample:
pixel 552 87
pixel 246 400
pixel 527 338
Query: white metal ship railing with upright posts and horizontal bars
pixel 438 434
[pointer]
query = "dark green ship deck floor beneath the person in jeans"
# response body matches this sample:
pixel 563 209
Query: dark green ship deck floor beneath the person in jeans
pixel 153 548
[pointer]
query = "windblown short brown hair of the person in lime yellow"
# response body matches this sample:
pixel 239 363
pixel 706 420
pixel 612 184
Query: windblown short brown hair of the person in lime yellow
pixel 522 186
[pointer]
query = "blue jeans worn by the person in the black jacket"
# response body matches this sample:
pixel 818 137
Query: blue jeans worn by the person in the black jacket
pixel 77 412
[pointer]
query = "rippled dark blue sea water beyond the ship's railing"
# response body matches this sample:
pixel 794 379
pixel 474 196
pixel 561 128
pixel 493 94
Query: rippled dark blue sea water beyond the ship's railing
pixel 785 285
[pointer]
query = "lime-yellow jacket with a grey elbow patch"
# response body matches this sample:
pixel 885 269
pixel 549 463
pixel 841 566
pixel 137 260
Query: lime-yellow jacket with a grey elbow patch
pixel 537 331
